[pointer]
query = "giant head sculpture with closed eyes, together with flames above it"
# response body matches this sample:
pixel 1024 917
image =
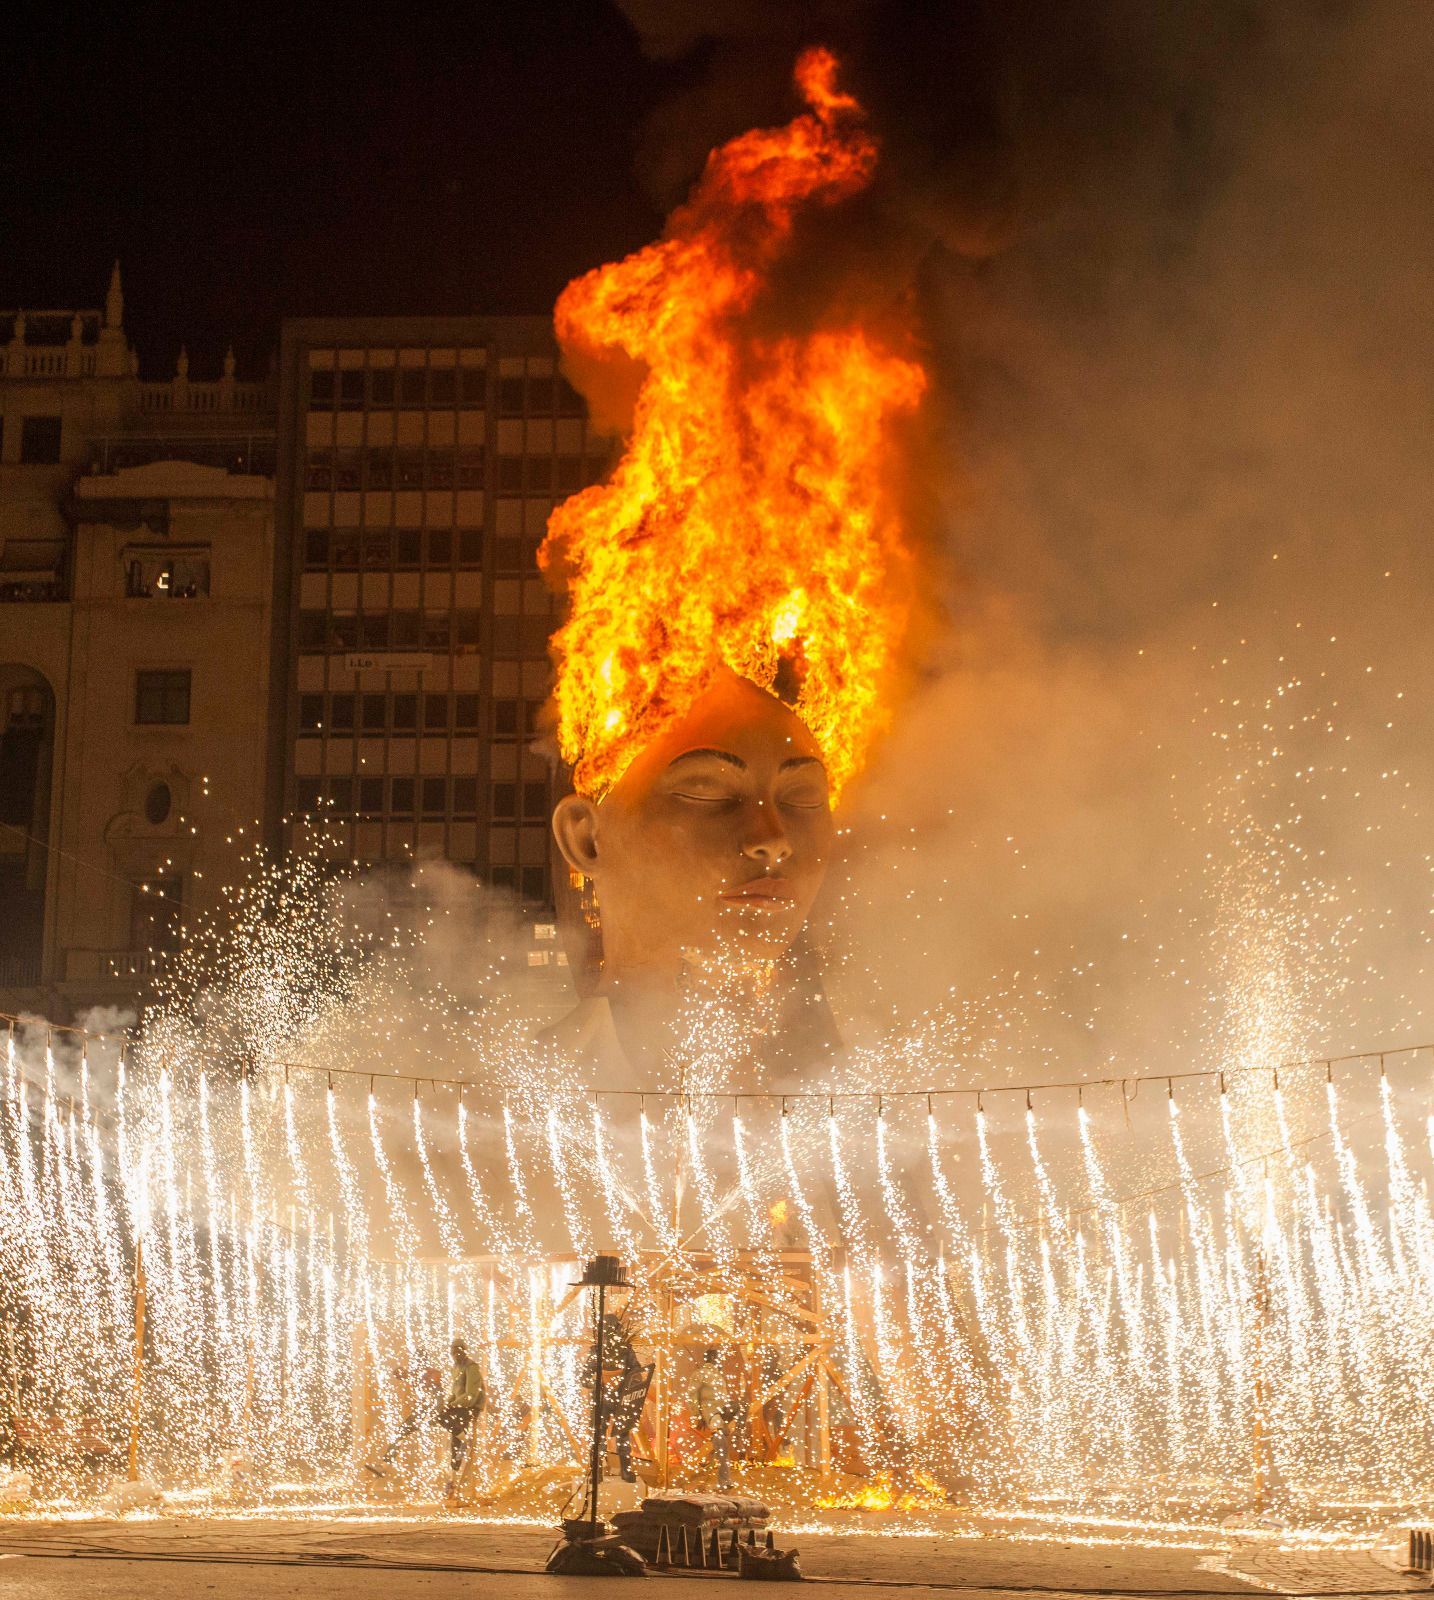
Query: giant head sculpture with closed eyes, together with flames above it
pixel 737 591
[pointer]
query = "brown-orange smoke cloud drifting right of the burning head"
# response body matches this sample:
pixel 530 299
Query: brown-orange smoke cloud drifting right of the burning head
pixel 1163 790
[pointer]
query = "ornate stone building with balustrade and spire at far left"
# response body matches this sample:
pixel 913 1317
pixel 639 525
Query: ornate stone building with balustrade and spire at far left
pixel 137 591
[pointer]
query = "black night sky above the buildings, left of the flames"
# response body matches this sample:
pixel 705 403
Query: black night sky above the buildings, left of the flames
pixel 324 161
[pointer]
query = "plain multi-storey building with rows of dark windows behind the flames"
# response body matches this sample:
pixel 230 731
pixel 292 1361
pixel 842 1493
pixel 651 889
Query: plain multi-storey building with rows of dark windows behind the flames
pixel 420 460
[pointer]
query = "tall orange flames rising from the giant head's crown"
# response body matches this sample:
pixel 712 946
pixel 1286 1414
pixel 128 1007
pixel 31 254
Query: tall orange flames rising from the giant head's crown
pixel 751 519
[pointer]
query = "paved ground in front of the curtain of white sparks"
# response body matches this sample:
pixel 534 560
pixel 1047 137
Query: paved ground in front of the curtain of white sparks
pixel 214 1559
